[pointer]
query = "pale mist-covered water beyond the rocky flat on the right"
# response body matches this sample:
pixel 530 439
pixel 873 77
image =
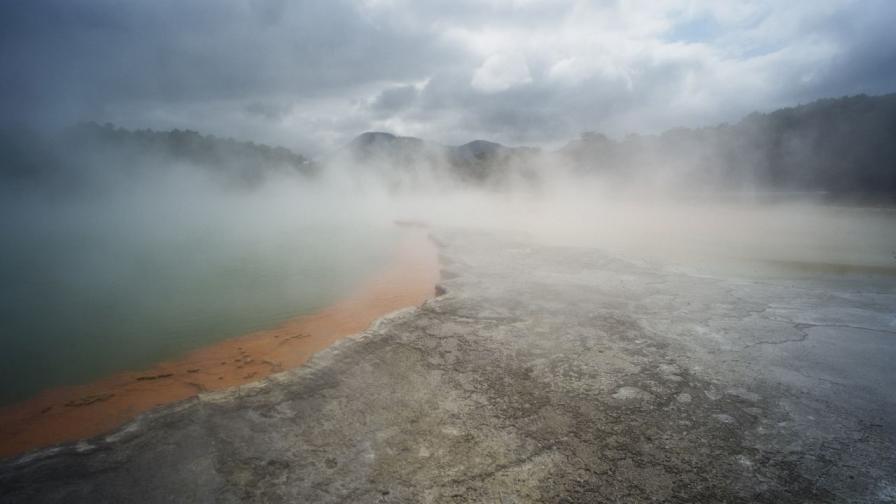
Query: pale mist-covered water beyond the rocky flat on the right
pixel 751 232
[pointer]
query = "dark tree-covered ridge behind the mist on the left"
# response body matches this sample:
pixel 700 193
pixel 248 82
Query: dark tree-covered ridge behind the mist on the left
pixel 87 153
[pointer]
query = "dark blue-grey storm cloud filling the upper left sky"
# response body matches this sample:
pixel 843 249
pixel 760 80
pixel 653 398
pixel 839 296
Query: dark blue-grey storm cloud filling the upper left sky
pixel 64 60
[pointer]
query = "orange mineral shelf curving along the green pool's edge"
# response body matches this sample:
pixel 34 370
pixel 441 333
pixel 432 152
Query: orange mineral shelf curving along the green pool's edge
pixel 76 412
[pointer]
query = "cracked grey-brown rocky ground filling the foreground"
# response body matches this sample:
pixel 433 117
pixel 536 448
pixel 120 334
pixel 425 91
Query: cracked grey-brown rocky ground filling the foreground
pixel 540 375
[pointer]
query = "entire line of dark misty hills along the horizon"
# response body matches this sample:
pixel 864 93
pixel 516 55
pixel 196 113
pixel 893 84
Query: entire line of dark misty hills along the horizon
pixel 843 148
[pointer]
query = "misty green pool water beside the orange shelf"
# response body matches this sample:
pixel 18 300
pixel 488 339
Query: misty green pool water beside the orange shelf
pixel 83 296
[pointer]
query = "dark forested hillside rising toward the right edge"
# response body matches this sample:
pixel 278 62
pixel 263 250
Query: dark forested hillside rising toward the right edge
pixel 844 148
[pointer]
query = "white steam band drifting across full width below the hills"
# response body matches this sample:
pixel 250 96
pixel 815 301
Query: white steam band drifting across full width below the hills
pixel 663 209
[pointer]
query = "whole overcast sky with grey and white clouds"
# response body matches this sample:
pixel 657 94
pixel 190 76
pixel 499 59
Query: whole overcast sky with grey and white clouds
pixel 313 74
